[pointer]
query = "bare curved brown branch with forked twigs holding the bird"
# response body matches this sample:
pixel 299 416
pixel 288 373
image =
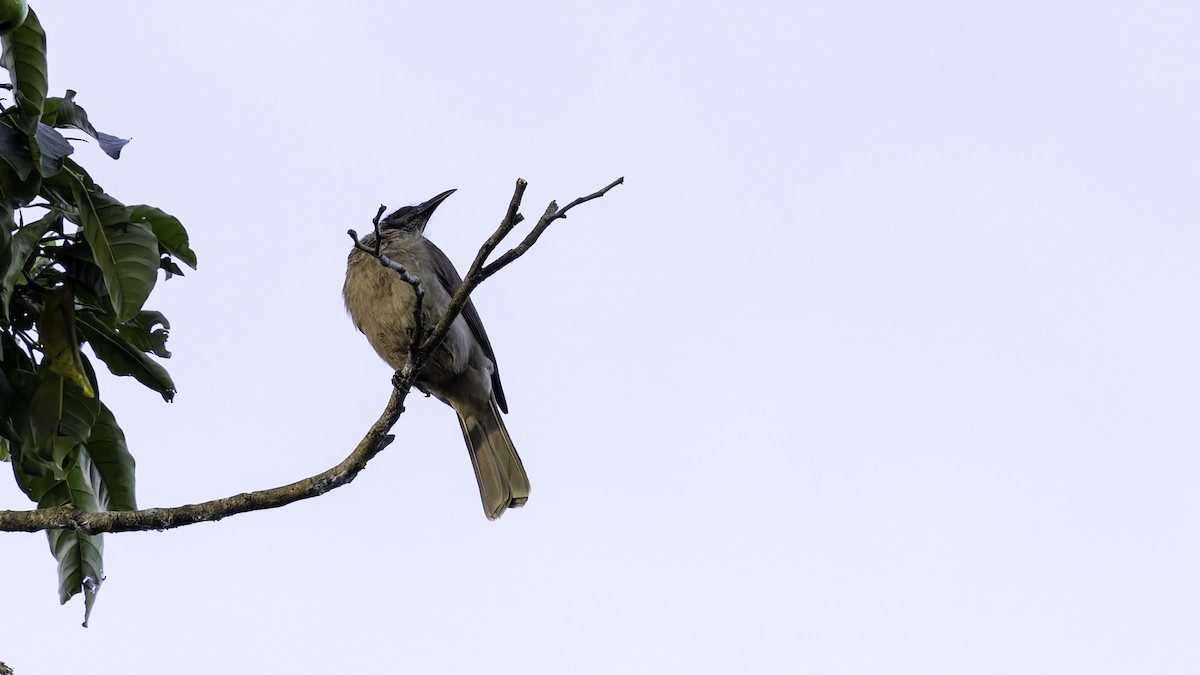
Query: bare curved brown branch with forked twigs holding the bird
pixel 69 517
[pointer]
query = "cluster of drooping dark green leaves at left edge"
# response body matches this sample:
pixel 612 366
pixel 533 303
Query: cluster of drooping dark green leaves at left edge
pixel 79 274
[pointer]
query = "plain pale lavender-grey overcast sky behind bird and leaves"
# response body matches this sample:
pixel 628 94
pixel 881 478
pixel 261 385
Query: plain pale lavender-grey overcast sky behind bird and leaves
pixel 886 359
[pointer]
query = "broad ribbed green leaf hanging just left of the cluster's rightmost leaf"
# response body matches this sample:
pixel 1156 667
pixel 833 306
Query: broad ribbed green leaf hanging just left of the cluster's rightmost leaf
pixel 128 253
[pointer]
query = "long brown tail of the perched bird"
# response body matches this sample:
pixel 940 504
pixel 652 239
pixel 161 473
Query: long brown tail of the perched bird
pixel 502 480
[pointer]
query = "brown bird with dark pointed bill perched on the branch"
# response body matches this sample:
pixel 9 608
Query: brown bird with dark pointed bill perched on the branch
pixel 463 372
